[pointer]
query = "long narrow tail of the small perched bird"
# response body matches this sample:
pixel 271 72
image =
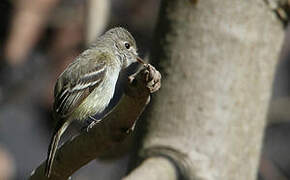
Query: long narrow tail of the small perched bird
pixel 60 128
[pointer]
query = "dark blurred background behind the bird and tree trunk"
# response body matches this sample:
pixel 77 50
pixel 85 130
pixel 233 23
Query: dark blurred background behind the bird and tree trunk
pixel 38 38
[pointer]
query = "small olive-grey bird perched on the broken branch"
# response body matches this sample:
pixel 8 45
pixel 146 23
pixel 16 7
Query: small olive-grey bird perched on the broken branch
pixel 87 85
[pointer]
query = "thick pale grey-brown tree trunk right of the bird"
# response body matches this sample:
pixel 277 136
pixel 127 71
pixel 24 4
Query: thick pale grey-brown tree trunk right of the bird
pixel 217 59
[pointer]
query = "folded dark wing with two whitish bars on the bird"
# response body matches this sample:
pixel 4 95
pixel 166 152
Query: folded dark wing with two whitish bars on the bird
pixel 71 89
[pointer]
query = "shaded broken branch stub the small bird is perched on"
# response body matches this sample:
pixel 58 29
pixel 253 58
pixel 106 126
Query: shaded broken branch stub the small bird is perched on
pixel 113 129
